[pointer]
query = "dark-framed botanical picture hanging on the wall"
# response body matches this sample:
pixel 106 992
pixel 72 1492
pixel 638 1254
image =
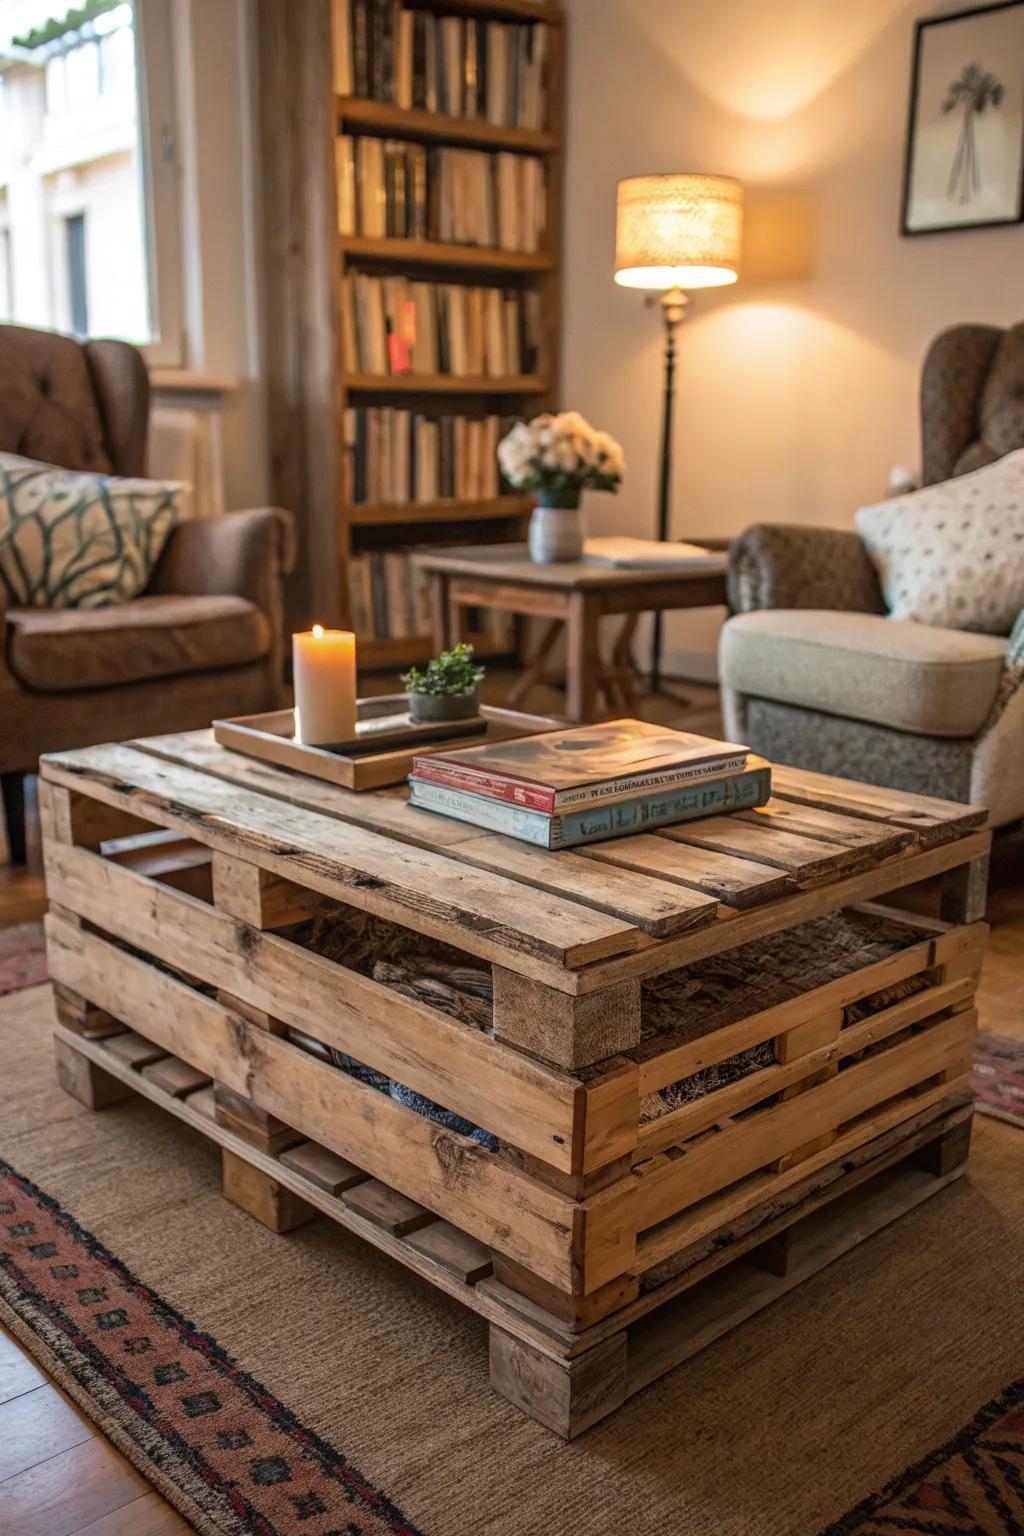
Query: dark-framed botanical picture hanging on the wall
pixel 965 165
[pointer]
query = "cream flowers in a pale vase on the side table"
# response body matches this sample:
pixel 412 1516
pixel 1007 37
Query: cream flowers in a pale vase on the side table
pixel 560 458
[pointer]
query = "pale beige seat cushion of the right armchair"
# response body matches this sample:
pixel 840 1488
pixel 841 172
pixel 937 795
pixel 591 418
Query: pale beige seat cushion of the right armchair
pixel 907 677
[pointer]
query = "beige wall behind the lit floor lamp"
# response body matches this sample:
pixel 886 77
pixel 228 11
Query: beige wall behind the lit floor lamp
pixel 799 386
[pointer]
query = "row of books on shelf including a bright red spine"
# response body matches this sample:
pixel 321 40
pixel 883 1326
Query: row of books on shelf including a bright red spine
pixel 397 325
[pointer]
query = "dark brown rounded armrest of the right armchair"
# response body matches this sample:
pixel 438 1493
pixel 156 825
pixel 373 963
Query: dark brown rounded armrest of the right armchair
pixel 787 566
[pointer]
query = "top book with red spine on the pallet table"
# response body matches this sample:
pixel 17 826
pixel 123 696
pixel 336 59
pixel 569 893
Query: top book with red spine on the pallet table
pixel 584 766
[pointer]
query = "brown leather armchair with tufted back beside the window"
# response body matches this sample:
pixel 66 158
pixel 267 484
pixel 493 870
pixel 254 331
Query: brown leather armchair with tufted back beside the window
pixel 208 635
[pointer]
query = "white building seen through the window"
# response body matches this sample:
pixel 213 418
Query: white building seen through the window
pixel 73 245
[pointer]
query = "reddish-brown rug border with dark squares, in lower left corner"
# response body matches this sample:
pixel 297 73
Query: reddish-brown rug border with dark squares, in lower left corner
pixel 219 1445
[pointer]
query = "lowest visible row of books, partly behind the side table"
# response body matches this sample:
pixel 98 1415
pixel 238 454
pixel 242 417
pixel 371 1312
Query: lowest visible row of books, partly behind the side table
pixel 391 601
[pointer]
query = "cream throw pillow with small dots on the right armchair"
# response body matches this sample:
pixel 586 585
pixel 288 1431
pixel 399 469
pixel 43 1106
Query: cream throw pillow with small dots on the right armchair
pixel 953 555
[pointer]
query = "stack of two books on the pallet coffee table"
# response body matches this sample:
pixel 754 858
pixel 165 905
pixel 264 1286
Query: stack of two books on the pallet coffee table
pixel 567 789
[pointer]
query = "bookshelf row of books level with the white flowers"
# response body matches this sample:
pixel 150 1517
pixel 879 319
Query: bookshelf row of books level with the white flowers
pixel 401 455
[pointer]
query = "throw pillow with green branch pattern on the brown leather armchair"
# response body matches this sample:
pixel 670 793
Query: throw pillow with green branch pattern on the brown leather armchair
pixel 76 540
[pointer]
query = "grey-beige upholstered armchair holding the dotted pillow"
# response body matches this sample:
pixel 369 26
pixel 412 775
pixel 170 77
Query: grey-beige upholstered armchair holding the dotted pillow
pixel 816 677
